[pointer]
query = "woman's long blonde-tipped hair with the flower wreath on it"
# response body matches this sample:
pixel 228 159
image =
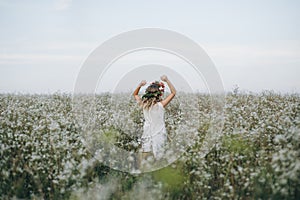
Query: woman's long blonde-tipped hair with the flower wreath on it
pixel 153 95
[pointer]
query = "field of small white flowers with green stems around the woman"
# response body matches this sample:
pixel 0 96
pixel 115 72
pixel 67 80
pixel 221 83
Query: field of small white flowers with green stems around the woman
pixel 43 156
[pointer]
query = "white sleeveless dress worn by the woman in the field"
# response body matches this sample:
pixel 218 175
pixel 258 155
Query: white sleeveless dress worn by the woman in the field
pixel 154 135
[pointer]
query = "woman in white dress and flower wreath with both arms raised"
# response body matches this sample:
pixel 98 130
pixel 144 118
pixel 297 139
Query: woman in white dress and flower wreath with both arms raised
pixel 154 134
